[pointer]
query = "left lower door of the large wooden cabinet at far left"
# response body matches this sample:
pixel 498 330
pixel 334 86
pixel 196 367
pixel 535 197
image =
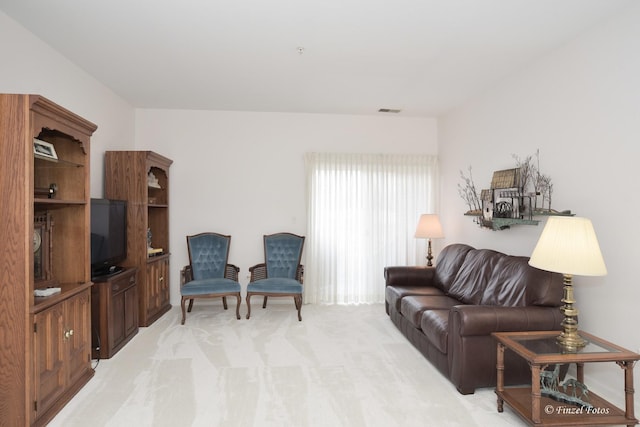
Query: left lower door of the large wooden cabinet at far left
pixel 49 357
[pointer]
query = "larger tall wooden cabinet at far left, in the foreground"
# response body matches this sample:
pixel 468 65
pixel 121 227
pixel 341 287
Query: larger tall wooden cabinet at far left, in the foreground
pixel 45 341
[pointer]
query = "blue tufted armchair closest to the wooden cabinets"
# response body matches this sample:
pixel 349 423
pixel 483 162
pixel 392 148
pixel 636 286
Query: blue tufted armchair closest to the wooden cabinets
pixel 208 274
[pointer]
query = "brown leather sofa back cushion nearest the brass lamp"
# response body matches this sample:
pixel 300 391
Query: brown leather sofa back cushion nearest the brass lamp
pixel 517 284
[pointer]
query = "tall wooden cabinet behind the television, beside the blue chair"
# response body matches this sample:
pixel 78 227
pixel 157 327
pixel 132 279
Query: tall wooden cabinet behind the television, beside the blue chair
pixel 142 178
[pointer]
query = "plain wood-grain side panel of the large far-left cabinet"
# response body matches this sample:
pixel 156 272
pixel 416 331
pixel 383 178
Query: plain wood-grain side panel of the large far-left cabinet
pixel 16 245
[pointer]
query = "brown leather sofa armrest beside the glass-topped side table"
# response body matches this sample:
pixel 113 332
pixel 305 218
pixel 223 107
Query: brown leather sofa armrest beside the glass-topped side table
pixel 472 320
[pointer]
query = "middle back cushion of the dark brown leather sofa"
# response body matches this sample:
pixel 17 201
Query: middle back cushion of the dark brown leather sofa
pixel 474 275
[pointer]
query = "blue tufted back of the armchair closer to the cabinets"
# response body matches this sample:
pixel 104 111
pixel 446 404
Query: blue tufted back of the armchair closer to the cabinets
pixel 208 255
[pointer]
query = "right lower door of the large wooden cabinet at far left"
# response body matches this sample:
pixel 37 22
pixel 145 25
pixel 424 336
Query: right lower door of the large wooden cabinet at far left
pixel 77 335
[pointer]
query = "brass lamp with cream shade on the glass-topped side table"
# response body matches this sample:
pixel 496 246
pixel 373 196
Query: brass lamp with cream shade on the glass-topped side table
pixel 569 245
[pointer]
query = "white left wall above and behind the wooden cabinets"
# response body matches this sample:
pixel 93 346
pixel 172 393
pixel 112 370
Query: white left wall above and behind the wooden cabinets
pixel 30 66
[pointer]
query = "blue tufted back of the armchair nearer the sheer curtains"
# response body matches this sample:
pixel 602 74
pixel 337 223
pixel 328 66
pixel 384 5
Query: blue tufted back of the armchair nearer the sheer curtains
pixel 282 254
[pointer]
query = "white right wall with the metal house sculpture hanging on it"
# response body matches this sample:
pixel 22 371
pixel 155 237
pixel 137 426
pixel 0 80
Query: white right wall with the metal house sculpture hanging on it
pixel 581 107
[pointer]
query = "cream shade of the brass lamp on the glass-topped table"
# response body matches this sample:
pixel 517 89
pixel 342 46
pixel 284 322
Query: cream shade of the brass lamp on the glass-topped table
pixel 569 245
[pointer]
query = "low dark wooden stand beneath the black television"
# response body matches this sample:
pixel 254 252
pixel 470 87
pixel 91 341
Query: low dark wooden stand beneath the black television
pixel 114 312
